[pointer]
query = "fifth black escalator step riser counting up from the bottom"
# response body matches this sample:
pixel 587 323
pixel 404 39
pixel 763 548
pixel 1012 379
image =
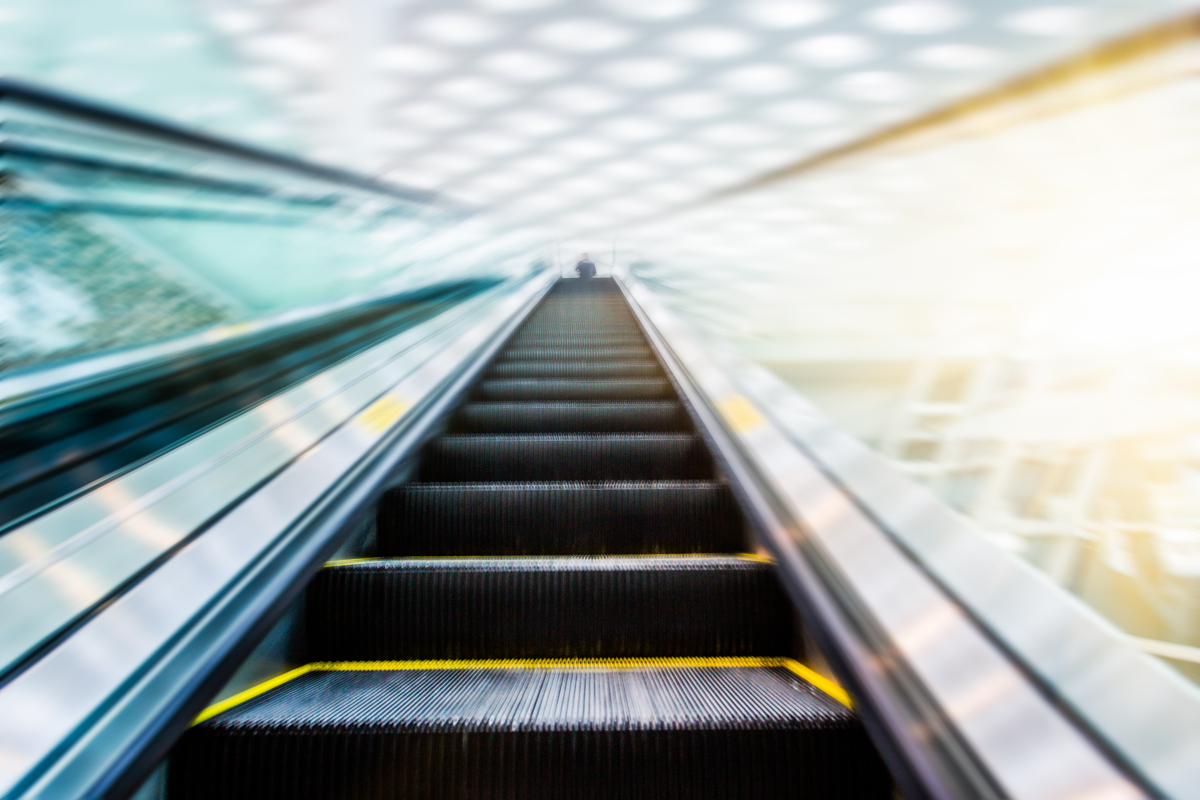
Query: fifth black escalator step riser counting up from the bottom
pixel 563 418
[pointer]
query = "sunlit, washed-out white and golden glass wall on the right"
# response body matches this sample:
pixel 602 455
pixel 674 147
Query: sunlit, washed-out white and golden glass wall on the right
pixel 1003 299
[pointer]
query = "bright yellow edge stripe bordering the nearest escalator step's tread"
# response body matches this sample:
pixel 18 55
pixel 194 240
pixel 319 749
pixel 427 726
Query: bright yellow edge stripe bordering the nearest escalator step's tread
pixel 823 683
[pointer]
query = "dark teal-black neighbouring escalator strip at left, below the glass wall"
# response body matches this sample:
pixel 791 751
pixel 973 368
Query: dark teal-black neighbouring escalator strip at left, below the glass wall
pixel 64 444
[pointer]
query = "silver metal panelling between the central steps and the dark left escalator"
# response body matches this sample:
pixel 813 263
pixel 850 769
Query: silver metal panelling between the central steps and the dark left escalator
pixel 292 452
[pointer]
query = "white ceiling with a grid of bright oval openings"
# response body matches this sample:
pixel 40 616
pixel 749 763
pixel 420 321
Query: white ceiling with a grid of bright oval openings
pixel 601 115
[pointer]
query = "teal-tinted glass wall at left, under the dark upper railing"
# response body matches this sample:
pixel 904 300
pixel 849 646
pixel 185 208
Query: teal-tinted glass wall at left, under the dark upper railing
pixel 119 234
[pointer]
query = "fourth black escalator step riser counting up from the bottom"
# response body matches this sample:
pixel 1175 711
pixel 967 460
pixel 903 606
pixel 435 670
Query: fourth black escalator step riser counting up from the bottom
pixel 567 458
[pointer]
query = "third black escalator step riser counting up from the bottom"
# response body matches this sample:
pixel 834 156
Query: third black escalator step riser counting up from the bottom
pixel 559 519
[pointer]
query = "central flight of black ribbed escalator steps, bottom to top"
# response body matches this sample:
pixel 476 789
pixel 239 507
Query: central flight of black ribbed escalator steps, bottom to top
pixel 559 606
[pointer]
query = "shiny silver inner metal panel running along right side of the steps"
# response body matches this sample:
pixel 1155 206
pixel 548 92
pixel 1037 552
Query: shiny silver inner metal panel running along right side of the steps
pixel 1028 745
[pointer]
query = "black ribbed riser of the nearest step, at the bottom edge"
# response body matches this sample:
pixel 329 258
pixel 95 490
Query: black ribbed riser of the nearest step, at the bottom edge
pixel 529 766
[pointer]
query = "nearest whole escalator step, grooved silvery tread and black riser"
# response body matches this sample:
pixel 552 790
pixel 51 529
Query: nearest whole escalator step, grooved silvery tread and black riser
pixel 493 733
